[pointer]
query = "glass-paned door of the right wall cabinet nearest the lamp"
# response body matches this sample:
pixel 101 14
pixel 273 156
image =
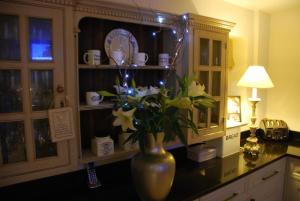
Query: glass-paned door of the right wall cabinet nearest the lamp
pixel 209 65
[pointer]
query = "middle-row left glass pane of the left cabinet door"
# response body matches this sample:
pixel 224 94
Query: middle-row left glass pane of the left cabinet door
pixel 10 91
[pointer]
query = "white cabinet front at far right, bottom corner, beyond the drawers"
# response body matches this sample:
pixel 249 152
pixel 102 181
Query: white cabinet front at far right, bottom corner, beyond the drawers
pixel 292 187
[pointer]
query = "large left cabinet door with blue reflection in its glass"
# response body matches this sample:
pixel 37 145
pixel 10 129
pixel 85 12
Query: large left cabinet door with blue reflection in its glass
pixel 31 68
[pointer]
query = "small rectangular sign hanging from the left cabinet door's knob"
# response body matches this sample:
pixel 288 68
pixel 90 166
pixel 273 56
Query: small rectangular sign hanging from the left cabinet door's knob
pixel 61 124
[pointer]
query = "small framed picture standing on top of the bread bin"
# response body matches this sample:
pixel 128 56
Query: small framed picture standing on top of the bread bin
pixel 234 108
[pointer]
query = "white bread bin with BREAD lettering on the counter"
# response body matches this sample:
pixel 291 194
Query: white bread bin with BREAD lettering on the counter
pixel 228 144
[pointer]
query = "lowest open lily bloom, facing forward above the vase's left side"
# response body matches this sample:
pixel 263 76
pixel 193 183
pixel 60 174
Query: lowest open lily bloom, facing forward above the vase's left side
pixel 124 119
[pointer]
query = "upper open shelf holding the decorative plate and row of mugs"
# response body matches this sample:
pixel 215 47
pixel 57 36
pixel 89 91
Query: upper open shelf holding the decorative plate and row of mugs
pixel 107 67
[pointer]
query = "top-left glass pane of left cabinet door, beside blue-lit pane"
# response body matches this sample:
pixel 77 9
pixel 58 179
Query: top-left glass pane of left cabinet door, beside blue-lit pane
pixel 9 37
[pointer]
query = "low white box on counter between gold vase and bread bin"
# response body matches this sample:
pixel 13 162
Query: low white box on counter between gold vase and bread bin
pixel 201 153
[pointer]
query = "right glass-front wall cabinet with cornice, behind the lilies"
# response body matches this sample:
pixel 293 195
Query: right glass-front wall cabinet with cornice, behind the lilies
pixel 206 58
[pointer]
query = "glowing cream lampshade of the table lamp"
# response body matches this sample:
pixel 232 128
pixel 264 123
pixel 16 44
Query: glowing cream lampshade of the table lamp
pixel 256 77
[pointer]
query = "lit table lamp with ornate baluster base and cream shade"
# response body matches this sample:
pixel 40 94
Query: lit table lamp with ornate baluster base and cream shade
pixel 254 77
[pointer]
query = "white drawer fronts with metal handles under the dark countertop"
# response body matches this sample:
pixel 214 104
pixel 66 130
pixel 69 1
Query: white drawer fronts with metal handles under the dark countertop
pixel 265 184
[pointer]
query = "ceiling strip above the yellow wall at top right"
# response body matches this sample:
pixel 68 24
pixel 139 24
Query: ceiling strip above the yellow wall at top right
pixel 269 6
